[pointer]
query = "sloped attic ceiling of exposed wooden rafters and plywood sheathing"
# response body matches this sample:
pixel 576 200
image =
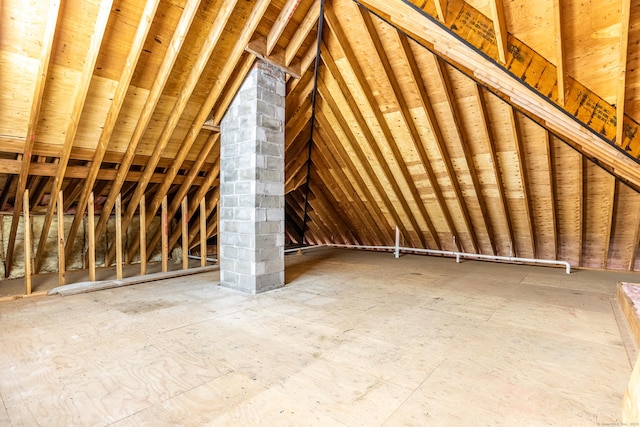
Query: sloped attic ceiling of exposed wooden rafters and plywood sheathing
pixel 124 97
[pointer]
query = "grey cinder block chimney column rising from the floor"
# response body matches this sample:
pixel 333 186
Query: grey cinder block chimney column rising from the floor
pixel 252 184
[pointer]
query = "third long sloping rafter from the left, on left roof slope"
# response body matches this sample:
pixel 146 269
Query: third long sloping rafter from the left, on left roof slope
pixel 112 116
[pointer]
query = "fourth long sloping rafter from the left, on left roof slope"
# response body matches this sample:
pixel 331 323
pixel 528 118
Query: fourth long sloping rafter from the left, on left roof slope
pixel 153 98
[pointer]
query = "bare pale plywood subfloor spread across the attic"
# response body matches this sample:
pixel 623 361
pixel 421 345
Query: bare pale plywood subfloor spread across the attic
pixel 355 338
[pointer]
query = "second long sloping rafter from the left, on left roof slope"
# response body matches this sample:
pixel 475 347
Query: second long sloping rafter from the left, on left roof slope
pixel 72 125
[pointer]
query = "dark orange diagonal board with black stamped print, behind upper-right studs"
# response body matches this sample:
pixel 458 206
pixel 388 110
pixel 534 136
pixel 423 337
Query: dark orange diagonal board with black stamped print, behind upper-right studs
pixel 476 30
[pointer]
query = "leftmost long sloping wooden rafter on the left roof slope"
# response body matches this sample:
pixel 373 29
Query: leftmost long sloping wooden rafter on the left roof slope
pixel 43 67
